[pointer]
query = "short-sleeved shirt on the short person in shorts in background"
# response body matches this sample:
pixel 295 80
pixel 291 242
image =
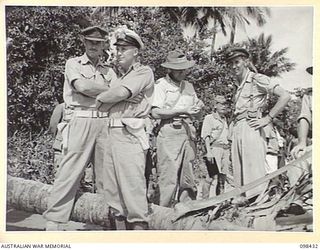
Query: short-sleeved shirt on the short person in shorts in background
pixel 216 128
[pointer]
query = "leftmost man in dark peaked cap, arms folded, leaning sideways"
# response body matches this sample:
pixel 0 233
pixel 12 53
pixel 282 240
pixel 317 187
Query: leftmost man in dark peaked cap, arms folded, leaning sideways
pixel 85 77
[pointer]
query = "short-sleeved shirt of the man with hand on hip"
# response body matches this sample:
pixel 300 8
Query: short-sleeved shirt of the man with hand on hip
pixel 259 86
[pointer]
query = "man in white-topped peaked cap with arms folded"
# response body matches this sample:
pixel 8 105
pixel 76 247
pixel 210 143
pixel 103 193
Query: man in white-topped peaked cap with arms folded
pixel 128 102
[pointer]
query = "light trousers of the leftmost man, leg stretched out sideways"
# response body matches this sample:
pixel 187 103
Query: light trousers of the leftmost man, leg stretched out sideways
pixel 81 141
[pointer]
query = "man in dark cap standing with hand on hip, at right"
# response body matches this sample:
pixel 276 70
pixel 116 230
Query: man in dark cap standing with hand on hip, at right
pixel 248 147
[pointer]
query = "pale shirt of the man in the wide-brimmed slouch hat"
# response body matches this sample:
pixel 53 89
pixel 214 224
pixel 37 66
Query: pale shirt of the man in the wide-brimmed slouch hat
pixel 170 96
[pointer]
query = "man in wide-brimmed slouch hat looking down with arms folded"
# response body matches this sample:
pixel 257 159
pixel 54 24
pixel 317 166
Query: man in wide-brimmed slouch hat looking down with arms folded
pixel 177 105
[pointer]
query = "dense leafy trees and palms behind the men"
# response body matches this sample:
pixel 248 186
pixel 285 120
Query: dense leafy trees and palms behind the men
pixel 43 38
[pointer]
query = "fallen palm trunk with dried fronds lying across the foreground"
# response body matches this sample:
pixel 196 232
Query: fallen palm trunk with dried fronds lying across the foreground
pixel 213 214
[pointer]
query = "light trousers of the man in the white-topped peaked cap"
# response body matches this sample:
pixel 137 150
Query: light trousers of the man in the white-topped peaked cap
pixel 122 178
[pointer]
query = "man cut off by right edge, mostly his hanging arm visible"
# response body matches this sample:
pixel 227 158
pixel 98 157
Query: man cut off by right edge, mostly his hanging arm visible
pixel 304 123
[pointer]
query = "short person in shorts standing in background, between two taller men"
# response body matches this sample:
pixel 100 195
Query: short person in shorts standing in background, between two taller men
pixel 215 134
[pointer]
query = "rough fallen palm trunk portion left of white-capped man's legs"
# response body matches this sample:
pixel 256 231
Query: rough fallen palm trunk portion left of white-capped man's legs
pixel 32 196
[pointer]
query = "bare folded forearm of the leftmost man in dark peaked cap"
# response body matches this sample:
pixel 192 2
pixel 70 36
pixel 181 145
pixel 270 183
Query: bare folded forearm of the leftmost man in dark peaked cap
pixel 89 87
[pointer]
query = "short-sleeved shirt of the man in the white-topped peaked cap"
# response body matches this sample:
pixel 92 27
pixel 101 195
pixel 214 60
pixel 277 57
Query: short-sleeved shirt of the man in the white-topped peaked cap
pixel 138 79
